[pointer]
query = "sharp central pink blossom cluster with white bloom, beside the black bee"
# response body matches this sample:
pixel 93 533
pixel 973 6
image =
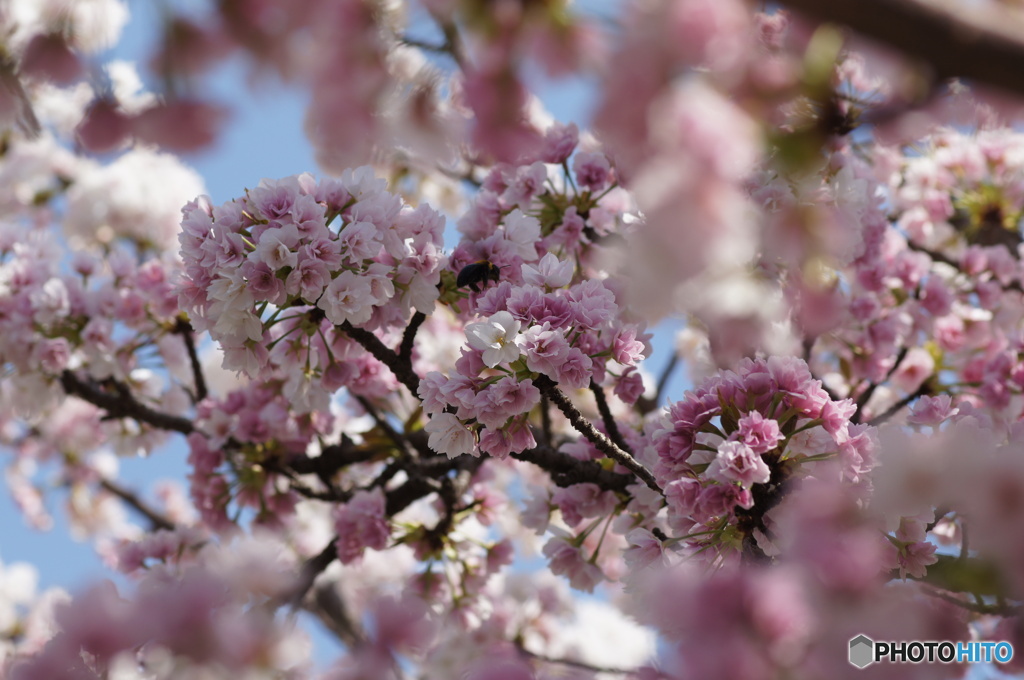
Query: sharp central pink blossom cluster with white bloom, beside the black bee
pixel 541 227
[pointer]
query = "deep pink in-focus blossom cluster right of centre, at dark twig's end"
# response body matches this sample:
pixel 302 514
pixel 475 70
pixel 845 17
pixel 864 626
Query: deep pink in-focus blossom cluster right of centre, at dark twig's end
pixel 740 439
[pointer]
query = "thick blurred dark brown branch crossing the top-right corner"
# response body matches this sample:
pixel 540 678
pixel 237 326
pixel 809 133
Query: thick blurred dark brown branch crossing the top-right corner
pixel 965 40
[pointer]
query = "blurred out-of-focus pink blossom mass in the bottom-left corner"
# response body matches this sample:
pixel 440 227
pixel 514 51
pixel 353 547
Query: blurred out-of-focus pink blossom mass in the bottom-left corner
pixel 206 624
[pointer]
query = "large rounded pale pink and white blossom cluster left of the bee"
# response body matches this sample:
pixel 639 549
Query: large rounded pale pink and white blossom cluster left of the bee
pixel 274 275
